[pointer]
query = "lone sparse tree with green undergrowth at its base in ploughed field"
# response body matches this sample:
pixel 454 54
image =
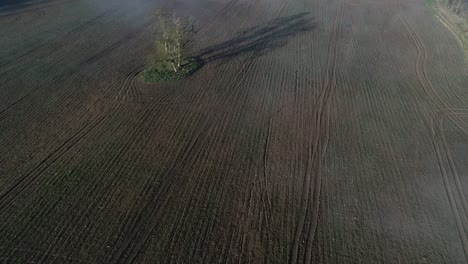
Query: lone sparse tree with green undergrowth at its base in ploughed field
pixel 170 62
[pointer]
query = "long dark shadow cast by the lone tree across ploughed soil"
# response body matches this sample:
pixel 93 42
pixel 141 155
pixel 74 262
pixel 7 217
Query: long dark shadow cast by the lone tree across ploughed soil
pixel 259 40
